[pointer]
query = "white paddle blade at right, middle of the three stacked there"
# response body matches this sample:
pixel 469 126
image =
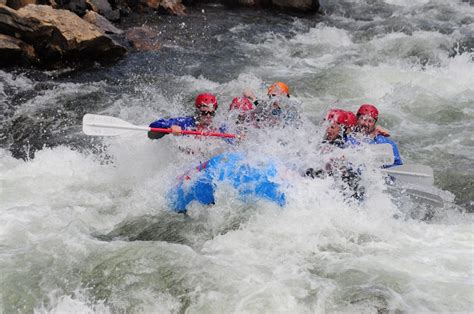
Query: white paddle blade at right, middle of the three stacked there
pixel 415 174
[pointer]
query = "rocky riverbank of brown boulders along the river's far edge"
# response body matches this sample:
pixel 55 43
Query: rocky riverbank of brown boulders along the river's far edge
pixel 77 32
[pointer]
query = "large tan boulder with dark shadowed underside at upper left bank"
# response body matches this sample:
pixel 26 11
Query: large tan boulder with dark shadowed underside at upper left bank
pixel 58 36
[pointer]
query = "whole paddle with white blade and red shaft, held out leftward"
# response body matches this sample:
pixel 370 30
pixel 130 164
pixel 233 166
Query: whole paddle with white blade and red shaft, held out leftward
pixel 99 125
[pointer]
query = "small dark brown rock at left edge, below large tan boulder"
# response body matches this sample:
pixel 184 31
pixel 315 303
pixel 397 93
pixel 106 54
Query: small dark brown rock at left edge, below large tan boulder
pixel 14 51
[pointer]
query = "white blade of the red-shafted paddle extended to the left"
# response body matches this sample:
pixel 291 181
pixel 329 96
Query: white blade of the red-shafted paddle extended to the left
pixel 98 125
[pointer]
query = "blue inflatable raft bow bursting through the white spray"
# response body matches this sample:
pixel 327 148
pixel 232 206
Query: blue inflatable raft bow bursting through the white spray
pixel 200 184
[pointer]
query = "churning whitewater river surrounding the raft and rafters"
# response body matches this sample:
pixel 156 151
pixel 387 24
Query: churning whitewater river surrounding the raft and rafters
pixel 85 223
